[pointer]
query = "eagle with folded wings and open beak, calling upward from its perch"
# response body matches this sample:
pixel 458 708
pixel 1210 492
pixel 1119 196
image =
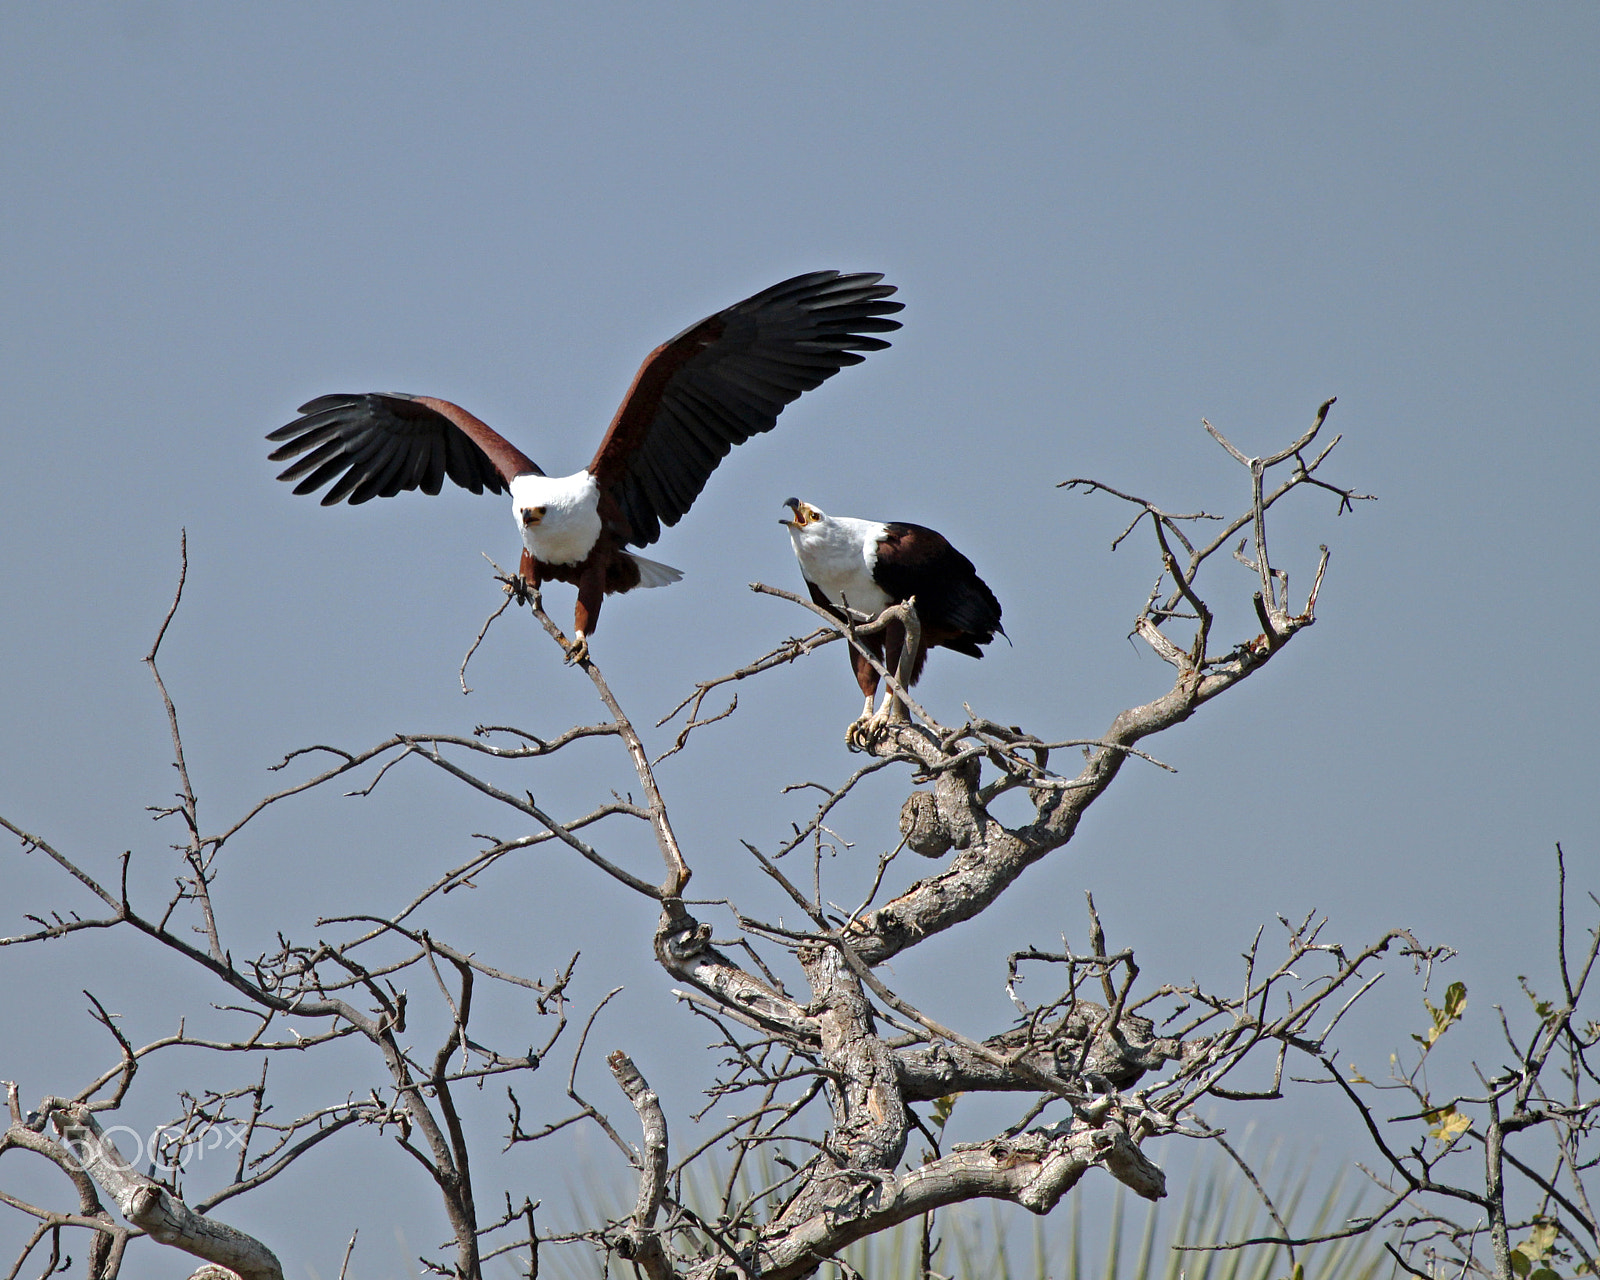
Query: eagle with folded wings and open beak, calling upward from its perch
pixel 870 566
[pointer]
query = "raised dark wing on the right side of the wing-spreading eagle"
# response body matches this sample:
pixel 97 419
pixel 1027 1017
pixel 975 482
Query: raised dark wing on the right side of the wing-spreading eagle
pixel 726 380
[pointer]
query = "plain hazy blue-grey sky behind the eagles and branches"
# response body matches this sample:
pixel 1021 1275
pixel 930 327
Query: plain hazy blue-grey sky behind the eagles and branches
pixel 1105 223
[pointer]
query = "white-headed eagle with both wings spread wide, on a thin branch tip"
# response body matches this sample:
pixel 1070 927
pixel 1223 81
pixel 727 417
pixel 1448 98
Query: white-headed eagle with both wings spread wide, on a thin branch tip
pixel 711 388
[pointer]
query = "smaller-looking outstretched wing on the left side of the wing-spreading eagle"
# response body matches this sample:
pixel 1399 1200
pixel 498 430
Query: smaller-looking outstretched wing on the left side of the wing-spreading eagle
pixel 385 444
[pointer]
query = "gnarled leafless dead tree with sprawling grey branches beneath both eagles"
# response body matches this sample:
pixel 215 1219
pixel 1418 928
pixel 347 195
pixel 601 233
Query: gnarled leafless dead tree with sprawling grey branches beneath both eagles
pixel 830 1068
